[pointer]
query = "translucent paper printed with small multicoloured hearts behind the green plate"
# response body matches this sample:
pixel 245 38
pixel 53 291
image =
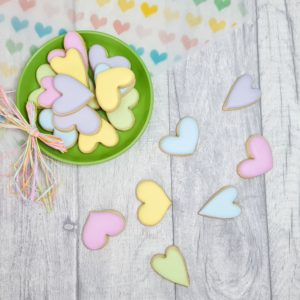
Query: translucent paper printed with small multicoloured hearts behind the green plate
pixel 151 29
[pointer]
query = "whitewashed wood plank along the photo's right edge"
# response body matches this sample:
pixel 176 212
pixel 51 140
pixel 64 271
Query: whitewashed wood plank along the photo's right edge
pixel 278 41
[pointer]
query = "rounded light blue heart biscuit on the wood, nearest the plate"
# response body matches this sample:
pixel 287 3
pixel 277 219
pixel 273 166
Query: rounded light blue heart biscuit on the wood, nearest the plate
pixel 185 142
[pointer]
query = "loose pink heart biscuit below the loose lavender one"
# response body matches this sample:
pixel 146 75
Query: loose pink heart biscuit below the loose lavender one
pixel 260 158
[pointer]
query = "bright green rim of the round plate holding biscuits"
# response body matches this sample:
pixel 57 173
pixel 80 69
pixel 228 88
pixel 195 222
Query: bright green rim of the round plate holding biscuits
pixel 44 148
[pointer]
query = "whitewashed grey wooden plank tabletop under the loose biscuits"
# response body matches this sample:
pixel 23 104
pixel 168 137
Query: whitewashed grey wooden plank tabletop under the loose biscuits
pixel 255 256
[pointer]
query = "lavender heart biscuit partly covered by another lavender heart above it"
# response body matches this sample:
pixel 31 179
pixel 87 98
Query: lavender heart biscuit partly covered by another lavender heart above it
pixel 86 121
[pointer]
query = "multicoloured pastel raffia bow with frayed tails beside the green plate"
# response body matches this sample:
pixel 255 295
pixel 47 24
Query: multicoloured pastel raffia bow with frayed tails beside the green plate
pixel 33 179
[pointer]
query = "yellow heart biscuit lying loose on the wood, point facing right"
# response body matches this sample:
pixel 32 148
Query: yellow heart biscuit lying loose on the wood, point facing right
pixel 155 202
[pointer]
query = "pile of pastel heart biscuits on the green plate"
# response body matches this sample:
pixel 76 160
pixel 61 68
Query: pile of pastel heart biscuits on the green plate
pixel 70 102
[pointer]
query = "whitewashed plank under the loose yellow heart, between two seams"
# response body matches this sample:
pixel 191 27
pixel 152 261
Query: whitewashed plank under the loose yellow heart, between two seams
pixel 122 269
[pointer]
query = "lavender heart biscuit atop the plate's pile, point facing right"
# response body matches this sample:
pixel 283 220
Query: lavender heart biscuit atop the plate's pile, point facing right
pixel 74 95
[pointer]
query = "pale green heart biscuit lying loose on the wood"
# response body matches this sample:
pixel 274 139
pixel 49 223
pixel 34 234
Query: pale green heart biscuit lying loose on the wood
pixel 171 266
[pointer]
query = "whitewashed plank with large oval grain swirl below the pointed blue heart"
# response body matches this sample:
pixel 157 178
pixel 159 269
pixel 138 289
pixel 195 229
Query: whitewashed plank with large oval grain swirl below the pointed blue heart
pixel 226 259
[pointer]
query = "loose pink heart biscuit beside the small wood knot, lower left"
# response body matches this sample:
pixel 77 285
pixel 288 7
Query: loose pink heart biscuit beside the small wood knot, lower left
pixel 99 226
